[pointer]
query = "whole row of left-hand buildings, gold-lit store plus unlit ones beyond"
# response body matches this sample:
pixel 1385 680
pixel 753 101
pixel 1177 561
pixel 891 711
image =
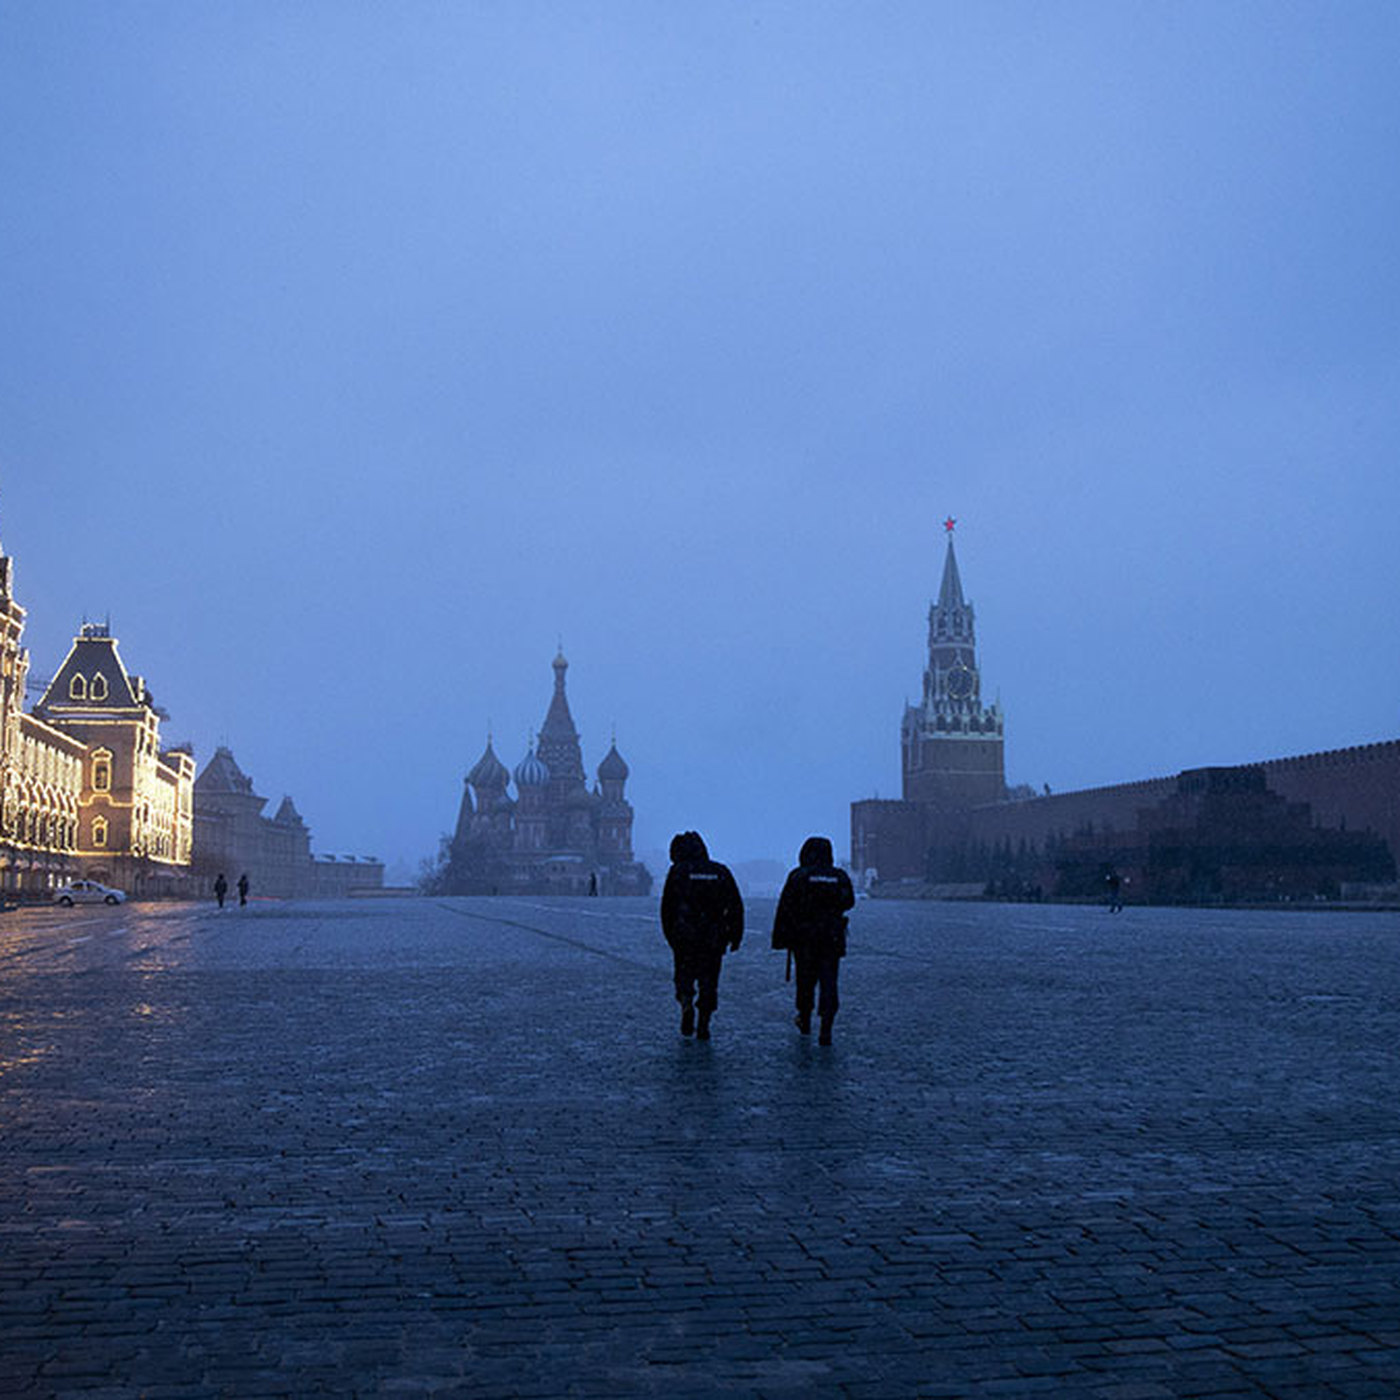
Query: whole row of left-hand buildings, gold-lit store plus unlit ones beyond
pixel 87 792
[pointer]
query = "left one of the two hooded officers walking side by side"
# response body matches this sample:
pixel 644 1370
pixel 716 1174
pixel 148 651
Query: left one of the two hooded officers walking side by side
pixel 702 915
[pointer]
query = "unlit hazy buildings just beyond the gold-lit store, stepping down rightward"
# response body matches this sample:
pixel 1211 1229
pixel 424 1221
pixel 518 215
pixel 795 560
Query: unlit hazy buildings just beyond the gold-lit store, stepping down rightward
pixel 233 838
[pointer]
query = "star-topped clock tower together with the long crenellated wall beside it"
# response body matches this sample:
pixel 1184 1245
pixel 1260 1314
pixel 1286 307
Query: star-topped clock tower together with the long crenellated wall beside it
pixel 1289 828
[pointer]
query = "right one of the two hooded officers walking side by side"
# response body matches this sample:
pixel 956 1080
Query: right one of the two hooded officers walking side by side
pixel 811 925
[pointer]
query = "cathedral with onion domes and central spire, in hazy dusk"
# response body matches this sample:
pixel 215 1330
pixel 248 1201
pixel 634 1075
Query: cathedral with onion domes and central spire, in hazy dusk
pixel 555 836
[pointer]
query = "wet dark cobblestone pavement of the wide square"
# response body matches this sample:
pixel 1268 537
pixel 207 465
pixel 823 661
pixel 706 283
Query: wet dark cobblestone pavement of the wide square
pixel 458 1147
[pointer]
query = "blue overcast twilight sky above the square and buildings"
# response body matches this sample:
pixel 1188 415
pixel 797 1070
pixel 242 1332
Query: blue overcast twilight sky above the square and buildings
pixel 355 355
